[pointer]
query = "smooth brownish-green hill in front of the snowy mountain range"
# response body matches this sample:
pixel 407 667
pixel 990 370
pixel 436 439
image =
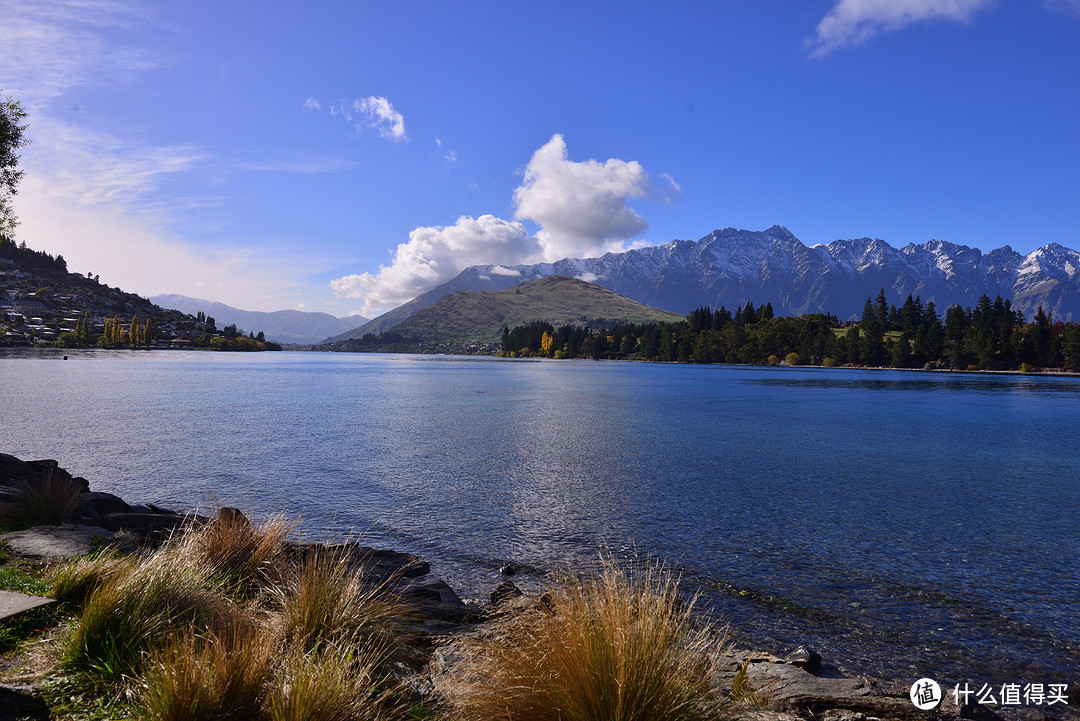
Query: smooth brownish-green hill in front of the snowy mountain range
pixel 467 317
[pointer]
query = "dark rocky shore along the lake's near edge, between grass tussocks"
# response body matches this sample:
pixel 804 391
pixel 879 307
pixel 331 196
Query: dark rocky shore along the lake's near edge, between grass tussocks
pixel 802 686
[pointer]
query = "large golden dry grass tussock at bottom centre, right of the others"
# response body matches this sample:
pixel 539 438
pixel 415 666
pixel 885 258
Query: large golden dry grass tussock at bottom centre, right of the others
pixel 618 647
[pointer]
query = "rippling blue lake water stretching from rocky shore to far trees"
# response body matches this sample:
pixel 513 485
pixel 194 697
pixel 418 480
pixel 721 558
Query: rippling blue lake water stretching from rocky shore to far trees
pixel 903 524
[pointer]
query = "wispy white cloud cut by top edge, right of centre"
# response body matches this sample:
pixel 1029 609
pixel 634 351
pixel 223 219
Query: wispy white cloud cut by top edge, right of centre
pixel 855 22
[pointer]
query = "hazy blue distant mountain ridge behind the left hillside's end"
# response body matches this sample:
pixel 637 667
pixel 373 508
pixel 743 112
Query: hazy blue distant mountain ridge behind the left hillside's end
pixel 300 328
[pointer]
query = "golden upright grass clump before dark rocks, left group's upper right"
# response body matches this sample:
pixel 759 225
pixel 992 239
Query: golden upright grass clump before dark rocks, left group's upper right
pixel 328 600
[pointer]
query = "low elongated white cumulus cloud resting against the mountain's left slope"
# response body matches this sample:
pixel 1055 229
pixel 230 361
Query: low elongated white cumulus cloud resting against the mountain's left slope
pixel 435 255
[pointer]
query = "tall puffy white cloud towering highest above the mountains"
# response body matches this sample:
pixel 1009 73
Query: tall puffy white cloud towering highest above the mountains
pixel 582 208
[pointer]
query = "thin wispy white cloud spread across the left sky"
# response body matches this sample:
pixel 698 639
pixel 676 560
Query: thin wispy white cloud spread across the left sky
pixel 92 195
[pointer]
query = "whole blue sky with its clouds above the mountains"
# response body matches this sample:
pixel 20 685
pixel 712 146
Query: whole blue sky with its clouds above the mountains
pixel 344 157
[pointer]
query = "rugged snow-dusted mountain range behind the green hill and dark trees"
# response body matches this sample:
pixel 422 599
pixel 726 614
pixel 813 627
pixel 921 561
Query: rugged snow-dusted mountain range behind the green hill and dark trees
pixel 733 267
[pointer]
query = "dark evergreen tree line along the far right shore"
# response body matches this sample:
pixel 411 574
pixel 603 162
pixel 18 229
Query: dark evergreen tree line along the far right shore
pixel 992 336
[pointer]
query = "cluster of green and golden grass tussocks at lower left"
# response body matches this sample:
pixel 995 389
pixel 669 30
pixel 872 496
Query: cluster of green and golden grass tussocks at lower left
pixel 224 622
